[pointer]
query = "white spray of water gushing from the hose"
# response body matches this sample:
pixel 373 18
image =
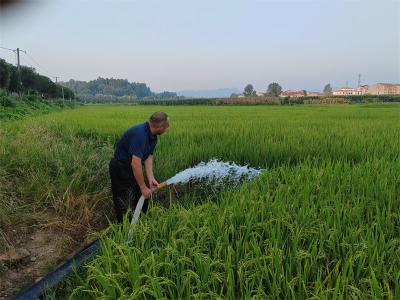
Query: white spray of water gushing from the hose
pixel 216 172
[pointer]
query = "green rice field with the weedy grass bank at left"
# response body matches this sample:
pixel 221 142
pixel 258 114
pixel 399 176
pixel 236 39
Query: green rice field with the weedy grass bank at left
pixel 321 222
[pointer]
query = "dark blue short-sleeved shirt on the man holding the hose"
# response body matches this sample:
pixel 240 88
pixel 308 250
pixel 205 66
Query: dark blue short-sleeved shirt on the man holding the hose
pixel 137 140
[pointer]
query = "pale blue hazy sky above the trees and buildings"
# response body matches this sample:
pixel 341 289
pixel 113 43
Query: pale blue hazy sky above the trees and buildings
pixel 183 45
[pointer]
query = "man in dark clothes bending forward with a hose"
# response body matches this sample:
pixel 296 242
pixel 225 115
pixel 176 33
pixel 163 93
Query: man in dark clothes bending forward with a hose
pixel 135 149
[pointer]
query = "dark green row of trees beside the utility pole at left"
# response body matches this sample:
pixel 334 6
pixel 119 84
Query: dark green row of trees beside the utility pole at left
pixel 29 82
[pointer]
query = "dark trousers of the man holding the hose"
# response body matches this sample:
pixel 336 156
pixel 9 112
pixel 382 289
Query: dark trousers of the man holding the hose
pixel 126 191
